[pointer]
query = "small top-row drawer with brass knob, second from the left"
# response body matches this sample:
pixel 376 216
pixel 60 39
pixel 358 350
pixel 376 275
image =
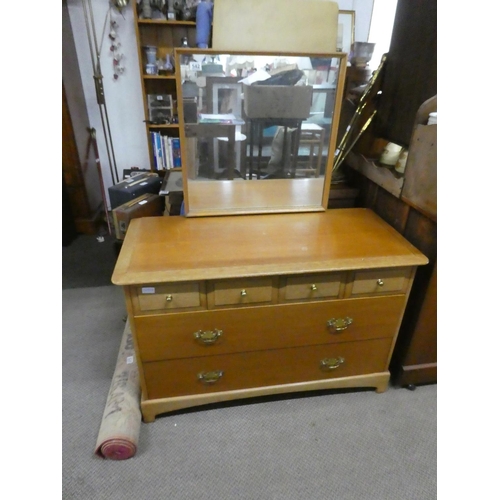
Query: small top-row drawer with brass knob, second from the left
pixel 241 292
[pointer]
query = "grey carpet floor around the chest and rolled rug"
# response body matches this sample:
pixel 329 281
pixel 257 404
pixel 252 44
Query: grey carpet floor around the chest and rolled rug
pixel 345 445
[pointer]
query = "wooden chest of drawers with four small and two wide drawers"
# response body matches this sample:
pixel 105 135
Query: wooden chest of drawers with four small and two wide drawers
pixel 233 307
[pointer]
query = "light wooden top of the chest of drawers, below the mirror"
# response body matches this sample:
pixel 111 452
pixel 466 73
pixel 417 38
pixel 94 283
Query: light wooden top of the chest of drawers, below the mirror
pixel 168 249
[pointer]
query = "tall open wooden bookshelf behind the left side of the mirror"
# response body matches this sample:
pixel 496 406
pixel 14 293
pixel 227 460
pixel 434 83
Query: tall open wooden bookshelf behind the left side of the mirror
pixel 165 35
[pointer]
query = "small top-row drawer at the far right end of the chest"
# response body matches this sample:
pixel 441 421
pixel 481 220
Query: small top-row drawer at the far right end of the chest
pixel 380 281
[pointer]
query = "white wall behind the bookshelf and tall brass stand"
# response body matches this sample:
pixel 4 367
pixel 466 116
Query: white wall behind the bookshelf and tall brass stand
pixel 124 96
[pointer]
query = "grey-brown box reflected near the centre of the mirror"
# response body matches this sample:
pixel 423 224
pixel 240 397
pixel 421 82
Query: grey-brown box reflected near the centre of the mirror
pixel 277 101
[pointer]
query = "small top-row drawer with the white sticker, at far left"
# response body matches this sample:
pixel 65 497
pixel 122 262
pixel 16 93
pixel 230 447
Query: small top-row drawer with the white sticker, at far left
pixel 166 297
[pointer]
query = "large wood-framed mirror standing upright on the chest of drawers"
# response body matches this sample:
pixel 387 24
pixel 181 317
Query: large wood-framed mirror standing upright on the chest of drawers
pixel 258 130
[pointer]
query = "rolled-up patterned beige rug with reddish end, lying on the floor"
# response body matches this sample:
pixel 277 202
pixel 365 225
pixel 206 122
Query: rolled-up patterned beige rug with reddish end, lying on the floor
pixel 119 432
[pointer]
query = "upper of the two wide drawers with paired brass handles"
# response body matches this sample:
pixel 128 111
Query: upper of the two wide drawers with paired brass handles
pixel 215 332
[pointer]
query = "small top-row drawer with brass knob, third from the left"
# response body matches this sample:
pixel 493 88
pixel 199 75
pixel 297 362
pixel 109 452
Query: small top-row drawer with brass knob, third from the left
pixel 312 287
